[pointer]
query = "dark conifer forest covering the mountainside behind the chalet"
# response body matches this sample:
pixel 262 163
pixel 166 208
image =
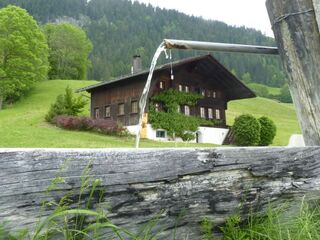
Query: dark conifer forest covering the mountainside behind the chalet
pixel 120 29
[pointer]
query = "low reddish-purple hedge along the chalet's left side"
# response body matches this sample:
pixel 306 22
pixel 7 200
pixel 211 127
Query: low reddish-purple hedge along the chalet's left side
pixel 104 126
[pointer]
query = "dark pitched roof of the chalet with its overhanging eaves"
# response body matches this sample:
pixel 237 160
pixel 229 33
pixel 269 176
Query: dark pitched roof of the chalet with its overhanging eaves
pixel 207 65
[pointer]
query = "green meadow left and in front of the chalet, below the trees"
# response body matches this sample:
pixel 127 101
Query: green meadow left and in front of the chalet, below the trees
pixel 23 124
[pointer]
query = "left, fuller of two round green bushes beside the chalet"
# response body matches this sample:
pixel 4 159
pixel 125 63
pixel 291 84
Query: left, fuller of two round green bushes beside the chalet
pixel 247 130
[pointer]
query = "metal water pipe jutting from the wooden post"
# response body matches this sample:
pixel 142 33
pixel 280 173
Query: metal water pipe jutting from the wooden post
pixel 222 47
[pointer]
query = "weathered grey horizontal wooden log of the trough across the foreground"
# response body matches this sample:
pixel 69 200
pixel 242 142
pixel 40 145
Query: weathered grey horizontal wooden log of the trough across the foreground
pixel 141 183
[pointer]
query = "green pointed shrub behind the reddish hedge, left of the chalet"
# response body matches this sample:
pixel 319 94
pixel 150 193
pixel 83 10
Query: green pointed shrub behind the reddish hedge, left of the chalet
pixel 66 104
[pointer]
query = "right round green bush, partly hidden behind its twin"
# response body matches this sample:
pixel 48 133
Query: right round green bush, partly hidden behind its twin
pixel 268 131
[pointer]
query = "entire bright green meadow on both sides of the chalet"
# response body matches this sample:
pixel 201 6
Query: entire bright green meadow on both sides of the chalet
pixel 23 125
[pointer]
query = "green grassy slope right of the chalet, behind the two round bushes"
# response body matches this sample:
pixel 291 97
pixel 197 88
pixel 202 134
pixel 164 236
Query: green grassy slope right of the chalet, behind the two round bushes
pixel 283 114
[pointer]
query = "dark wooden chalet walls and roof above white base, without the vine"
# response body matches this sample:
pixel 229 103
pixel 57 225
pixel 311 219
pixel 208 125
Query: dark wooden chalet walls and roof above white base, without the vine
pixel 118 99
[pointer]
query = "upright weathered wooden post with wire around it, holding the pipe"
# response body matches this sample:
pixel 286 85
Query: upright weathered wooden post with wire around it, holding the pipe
pixel 296 31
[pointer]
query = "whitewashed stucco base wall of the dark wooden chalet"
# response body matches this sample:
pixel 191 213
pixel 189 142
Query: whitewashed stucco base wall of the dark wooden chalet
pixel 204 134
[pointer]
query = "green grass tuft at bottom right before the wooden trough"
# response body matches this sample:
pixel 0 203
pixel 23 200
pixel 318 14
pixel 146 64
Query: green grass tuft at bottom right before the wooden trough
pixel 279 223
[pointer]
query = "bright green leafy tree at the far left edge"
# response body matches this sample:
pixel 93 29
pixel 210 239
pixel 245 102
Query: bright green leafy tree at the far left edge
pixel 23 53
